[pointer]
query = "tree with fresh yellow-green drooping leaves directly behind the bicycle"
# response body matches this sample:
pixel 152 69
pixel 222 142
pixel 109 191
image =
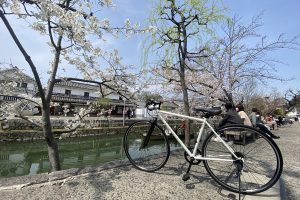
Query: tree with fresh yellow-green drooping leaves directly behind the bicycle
pixel 182 29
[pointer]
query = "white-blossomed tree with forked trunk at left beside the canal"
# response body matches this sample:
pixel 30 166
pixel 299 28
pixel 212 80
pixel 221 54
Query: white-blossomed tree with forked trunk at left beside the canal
pixel 71 27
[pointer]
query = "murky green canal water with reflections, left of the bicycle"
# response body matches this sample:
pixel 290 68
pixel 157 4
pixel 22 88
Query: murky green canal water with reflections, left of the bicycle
pixel 28 158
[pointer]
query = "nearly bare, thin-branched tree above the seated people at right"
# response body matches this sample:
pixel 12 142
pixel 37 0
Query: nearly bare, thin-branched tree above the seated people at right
pixel 241 56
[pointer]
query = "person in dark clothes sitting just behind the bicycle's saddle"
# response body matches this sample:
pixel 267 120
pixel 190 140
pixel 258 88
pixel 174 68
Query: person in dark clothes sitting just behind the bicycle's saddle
pixel 231 116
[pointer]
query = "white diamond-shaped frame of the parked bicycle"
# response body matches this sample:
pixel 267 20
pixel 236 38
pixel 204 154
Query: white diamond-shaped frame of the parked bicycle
pixel 204 123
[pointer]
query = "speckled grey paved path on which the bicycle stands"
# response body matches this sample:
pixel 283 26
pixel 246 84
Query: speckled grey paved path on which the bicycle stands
pixel 120 181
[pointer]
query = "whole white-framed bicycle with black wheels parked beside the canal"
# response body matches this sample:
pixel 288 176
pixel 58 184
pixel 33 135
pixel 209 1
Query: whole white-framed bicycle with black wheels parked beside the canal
pixel 247 168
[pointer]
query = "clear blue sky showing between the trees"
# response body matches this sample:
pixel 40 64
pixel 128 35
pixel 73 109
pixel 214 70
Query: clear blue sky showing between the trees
pixel 278 17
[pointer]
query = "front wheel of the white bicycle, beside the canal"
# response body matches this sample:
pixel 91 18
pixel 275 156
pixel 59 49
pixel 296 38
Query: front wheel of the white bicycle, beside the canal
pixel 150 155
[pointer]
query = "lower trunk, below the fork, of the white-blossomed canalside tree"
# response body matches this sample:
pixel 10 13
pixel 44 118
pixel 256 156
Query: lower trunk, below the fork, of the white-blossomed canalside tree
pixel 52 145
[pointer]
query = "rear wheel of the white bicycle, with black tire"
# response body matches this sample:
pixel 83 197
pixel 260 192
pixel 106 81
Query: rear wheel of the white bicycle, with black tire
pixel 263 162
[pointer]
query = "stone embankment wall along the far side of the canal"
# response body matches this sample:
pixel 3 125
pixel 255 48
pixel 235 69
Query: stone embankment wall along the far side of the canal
pixel 21 130
